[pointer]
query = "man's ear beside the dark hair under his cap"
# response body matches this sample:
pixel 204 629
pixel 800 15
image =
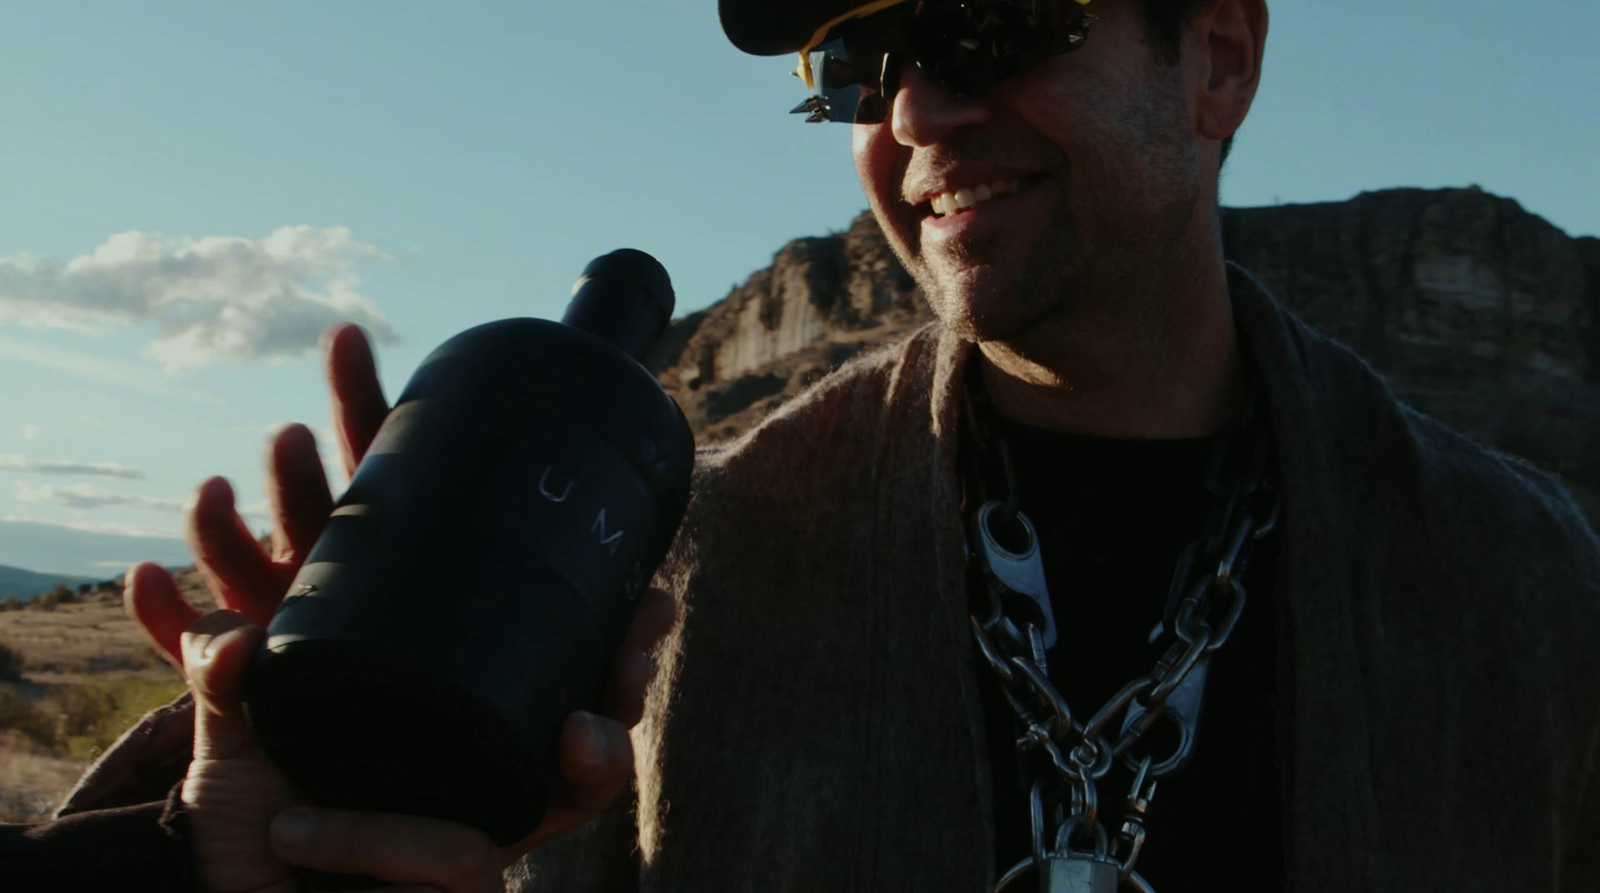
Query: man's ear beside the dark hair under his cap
pixel 1226 41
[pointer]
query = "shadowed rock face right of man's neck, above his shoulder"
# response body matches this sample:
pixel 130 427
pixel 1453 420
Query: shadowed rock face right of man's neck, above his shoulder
pixel 1476 311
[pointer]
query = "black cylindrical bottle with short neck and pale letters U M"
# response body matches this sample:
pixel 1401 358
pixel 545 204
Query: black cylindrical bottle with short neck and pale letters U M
pixel 476 580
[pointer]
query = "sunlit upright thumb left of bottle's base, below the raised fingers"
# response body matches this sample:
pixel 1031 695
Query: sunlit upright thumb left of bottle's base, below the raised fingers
pixel 217 649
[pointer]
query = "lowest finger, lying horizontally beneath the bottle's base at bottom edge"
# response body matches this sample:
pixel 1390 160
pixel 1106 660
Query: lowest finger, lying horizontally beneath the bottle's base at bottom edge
pixel 410 851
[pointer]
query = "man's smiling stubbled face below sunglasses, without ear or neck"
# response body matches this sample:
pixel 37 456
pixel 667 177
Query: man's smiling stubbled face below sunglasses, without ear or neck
pixel 1102 145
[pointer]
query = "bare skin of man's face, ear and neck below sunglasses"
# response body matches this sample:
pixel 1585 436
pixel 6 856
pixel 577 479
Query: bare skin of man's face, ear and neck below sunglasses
pixel 1097 294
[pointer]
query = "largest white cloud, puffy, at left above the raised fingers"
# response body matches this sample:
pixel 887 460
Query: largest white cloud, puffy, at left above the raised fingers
pixel 214 298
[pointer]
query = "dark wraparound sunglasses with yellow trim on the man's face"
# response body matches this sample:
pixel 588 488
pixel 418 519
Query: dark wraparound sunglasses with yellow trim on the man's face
pixel 967 47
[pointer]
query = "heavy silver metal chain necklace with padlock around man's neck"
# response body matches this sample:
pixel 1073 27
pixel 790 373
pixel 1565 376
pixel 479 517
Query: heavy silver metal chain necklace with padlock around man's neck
pixel 1015 627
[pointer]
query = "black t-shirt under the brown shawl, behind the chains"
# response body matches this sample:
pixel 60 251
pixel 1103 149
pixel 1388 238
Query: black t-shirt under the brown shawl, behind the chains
pixel 1113 518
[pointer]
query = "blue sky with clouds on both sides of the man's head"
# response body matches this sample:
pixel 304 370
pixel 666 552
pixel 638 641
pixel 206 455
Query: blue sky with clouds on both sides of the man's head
pixel 426 167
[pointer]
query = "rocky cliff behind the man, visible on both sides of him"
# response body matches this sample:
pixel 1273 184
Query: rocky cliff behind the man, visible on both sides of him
pixel 1474 310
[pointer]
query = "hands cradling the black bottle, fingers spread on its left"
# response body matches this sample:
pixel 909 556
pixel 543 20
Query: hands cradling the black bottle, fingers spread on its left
pixel 234 796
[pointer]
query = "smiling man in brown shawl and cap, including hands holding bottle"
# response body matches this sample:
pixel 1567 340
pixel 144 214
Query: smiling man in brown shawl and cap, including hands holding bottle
pixel 881 684
